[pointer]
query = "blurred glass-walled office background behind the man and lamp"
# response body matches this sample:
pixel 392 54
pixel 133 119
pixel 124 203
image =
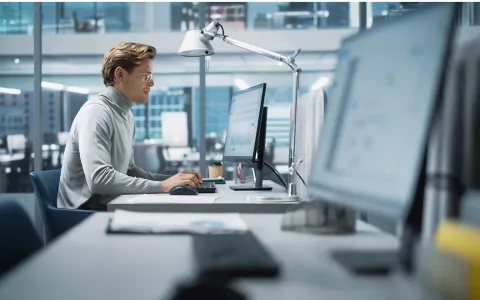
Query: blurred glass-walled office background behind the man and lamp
pixel 76 34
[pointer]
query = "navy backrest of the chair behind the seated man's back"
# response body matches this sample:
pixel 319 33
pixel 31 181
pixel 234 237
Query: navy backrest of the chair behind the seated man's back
pixel 45 184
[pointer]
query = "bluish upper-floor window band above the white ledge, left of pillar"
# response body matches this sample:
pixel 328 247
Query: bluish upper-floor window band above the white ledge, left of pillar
pixel 104 16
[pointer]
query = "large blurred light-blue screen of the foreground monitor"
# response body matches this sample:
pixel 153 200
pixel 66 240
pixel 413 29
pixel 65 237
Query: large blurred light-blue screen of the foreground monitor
pixel 386 87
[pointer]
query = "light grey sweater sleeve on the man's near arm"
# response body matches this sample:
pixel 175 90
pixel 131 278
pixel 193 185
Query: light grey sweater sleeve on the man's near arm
pixel 94 131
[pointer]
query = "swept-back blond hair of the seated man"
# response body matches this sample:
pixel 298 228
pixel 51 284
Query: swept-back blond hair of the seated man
pixel 127 56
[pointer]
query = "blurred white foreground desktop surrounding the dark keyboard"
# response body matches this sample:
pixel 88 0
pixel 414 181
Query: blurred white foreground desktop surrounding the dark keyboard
pixel 86 263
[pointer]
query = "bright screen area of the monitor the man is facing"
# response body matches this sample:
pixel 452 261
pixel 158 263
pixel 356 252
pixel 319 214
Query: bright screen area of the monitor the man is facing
pixel 243 124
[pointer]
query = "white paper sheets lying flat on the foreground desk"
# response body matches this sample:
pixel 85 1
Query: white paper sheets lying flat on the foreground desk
pixel 127 221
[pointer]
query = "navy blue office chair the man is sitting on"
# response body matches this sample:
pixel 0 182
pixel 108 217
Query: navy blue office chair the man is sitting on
pixel 57 220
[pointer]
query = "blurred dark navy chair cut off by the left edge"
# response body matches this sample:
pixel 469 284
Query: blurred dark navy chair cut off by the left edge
pixel 18 237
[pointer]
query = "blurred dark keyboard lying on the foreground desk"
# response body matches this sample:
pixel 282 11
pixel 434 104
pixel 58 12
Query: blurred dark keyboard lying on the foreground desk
pixel 233 255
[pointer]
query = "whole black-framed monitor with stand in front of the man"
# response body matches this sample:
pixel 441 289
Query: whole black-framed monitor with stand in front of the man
pixel 245 140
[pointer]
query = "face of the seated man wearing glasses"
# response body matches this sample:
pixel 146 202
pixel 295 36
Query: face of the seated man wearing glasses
pixel 137 83
